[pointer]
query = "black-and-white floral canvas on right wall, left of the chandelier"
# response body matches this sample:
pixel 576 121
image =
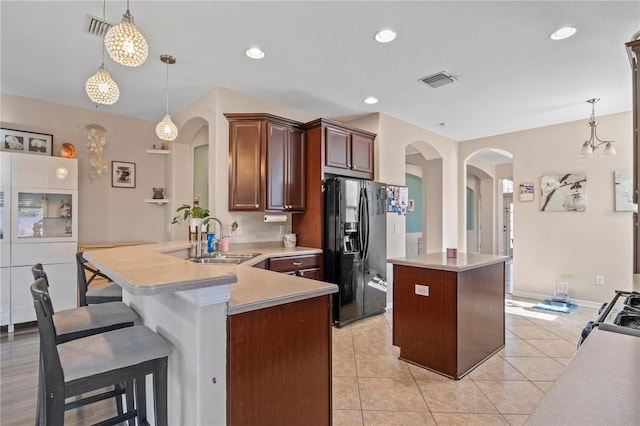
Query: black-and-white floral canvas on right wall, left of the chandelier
pixel 563 192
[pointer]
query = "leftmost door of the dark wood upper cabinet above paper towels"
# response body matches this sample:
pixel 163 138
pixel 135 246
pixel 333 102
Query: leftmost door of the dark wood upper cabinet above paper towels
pixel 246 167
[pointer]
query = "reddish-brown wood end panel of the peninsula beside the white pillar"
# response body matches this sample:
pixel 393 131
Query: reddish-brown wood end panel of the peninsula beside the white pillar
pixel 279 365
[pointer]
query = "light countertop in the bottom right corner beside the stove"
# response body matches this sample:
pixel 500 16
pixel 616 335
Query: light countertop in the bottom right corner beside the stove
pixel 600 386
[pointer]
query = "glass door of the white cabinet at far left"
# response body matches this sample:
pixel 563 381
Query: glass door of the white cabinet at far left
pixel 44 215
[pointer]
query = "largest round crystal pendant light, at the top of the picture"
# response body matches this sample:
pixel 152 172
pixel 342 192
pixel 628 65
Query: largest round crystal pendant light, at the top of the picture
pixel 125 44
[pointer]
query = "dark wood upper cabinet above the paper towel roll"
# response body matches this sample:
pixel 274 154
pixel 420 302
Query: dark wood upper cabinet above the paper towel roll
pixel 266 163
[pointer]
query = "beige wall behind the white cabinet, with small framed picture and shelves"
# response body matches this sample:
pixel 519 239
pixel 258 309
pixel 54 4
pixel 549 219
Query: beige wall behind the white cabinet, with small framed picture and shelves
pixel 106 214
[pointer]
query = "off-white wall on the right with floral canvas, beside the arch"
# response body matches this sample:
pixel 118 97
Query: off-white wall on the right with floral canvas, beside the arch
pixel 569 246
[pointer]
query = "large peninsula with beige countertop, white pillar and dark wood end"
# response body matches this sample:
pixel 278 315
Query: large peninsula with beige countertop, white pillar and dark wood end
pixel 220 319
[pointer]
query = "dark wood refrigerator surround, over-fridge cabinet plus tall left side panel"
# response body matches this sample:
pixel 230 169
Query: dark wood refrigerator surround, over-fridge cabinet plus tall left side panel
pixel 332 148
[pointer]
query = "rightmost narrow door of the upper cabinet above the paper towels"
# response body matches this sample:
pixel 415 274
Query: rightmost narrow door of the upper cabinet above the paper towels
pixel 295 182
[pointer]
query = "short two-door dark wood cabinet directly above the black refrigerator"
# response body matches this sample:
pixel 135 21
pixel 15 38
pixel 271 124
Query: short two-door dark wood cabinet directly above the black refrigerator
pixel 346 151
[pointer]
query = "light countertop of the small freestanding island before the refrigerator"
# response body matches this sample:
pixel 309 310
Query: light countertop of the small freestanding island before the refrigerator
pixel 463 261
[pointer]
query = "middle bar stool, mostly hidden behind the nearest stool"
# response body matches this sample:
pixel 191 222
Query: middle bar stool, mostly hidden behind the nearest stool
pixel 71 324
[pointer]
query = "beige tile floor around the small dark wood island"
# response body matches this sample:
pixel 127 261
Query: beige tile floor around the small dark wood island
pixel 371 386
